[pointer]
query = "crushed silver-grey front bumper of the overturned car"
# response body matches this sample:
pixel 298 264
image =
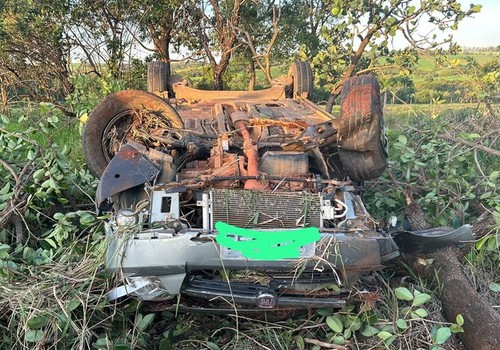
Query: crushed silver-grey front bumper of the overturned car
pixel 159 265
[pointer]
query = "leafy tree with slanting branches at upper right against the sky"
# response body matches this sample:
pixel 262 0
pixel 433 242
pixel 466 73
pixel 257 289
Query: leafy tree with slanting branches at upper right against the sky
pixel 369 26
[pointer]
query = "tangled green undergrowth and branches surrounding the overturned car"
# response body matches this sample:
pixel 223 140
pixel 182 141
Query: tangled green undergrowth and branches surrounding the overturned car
pixel 53 284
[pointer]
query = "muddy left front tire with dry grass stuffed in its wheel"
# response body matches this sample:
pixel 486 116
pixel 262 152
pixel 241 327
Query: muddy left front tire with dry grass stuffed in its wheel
pixel 108 125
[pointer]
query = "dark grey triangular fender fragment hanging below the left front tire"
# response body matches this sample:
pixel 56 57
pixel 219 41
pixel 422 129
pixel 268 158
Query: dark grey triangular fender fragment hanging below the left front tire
pixel 128 168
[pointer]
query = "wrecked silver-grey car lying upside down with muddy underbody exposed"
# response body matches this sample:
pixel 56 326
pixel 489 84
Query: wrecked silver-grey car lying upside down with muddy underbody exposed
pixel 246 199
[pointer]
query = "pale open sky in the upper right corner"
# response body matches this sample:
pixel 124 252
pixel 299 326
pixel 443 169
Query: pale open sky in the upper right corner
pixel 481 30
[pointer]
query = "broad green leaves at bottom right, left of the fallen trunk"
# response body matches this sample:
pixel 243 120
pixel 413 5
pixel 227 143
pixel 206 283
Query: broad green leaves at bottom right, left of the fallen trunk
pixel 390 325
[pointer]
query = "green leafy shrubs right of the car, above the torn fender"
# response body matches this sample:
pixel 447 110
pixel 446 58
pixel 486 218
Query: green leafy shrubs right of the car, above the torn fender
pixel 448 178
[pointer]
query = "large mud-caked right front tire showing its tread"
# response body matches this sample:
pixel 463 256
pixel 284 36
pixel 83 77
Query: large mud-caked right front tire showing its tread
pixel 361 138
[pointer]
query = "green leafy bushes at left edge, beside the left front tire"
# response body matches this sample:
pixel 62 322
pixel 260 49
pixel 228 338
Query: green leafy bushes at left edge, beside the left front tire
pixel 34 180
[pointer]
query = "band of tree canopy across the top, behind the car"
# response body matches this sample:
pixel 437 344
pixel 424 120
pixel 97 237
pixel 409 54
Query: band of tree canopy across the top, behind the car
pixel 39 40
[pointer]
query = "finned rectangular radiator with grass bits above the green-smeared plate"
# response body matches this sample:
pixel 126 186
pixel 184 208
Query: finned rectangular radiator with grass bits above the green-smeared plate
pixel 262 209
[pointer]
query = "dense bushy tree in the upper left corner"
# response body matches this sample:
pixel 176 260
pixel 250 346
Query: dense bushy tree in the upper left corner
pixel 33 49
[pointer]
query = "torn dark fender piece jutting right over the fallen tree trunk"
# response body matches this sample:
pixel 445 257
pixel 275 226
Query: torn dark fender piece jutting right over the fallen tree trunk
pixel 426 241
